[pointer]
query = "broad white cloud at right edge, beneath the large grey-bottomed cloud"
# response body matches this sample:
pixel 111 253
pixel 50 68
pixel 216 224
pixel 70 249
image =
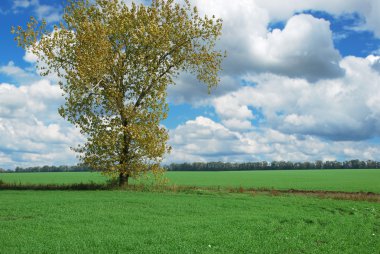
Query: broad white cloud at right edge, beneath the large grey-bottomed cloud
pixel 345 108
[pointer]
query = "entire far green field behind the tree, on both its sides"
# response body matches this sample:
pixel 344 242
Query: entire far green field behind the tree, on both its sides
pixel 367 180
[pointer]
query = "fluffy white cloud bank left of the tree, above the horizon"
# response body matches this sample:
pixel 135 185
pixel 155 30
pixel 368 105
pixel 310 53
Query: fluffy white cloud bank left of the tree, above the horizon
pixel 31 131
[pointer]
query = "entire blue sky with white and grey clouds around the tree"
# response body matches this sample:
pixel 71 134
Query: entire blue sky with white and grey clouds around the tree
pixel 301 82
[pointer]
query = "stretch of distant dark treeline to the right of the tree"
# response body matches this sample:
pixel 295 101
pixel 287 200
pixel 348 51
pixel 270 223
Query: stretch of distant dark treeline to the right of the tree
pixel 274 165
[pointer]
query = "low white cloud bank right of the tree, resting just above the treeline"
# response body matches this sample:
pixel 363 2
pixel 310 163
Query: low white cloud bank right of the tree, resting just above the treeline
pixel 202 139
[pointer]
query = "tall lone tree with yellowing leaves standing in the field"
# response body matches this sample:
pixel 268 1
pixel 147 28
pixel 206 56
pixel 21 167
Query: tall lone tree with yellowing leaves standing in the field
pixel 115 62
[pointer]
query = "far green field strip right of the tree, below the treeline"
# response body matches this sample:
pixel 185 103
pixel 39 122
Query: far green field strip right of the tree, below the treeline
pixel 334 180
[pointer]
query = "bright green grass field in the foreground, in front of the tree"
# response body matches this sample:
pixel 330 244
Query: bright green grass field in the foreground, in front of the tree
pixel 144 222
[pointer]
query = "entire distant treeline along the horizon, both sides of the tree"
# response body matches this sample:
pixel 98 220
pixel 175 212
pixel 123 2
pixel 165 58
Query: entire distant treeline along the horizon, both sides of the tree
pixel 226 166
